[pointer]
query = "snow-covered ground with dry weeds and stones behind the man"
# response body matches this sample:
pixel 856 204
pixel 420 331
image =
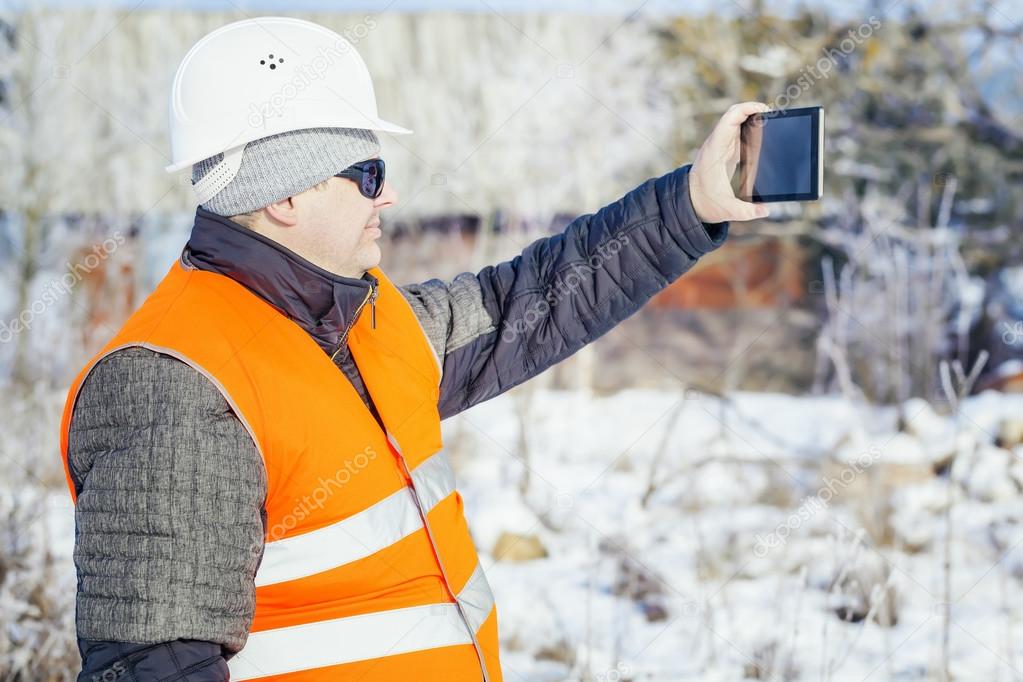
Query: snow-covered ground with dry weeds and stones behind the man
pixel 691 538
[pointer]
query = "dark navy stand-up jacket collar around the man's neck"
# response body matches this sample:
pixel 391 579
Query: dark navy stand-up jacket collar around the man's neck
pixel 322 303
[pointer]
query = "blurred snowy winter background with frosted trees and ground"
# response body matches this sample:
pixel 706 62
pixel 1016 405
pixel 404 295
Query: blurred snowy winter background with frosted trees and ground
pixel 804 462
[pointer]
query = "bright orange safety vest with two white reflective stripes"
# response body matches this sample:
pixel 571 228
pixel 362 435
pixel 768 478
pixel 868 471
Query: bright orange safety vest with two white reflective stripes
pixel 369 570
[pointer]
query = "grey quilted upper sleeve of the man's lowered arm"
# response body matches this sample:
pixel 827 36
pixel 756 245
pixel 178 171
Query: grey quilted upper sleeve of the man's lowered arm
pixel 170 519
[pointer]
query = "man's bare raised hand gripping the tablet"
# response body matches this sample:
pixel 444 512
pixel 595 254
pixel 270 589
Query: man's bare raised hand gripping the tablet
pixel 710 177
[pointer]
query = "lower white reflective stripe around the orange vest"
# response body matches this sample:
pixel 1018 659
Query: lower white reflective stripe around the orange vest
pixel 368 636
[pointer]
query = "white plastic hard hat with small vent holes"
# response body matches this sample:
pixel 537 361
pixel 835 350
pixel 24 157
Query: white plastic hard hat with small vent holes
pixel 262 77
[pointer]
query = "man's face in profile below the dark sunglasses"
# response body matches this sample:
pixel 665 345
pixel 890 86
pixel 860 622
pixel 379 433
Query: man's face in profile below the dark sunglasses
pixel 340 228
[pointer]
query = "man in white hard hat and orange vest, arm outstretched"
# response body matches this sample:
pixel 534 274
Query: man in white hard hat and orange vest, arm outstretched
pixel 256 457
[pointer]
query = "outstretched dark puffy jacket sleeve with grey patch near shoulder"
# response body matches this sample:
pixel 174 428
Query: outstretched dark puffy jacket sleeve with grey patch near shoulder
pixel 512 322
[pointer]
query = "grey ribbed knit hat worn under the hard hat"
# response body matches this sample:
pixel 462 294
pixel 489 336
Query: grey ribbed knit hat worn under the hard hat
pixel 285 165
